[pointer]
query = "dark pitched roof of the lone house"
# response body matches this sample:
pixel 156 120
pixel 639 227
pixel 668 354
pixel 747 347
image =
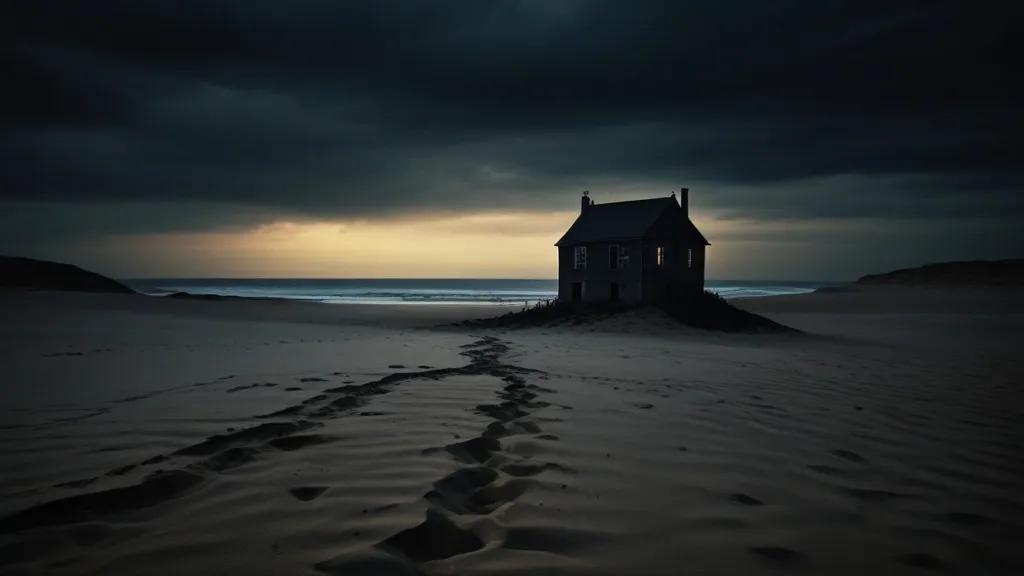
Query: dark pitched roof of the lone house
pixel 622 221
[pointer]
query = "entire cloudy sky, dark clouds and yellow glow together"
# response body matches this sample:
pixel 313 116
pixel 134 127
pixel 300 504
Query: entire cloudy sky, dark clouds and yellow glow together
pixel 821 139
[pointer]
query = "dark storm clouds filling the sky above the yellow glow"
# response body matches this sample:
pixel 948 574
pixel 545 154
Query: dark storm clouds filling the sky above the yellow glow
pixel 370 108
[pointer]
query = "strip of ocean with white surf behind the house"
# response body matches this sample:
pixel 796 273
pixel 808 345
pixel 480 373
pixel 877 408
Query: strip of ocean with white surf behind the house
pixel 424 292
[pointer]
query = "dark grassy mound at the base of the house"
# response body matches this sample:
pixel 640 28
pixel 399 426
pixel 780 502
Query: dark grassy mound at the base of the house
pixel 706 311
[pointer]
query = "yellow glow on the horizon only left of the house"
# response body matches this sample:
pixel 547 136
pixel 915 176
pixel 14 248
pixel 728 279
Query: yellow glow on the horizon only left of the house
pixel 488 245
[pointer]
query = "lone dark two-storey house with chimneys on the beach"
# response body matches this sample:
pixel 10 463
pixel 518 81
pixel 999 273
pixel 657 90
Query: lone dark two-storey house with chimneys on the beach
pixel 636 252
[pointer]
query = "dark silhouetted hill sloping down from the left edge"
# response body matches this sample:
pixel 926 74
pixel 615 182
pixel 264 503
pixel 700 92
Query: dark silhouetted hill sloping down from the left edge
pixel 29 274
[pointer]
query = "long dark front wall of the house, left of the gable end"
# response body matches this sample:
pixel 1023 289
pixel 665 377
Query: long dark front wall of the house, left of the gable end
pixel 599 277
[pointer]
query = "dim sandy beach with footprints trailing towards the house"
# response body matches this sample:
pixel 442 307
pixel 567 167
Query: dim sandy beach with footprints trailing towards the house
pixel 155 437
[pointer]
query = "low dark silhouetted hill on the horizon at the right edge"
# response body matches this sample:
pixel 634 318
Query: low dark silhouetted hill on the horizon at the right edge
pixel 968 273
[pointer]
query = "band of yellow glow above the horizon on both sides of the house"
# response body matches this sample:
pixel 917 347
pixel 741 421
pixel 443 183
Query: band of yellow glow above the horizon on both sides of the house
pixel 481 245
